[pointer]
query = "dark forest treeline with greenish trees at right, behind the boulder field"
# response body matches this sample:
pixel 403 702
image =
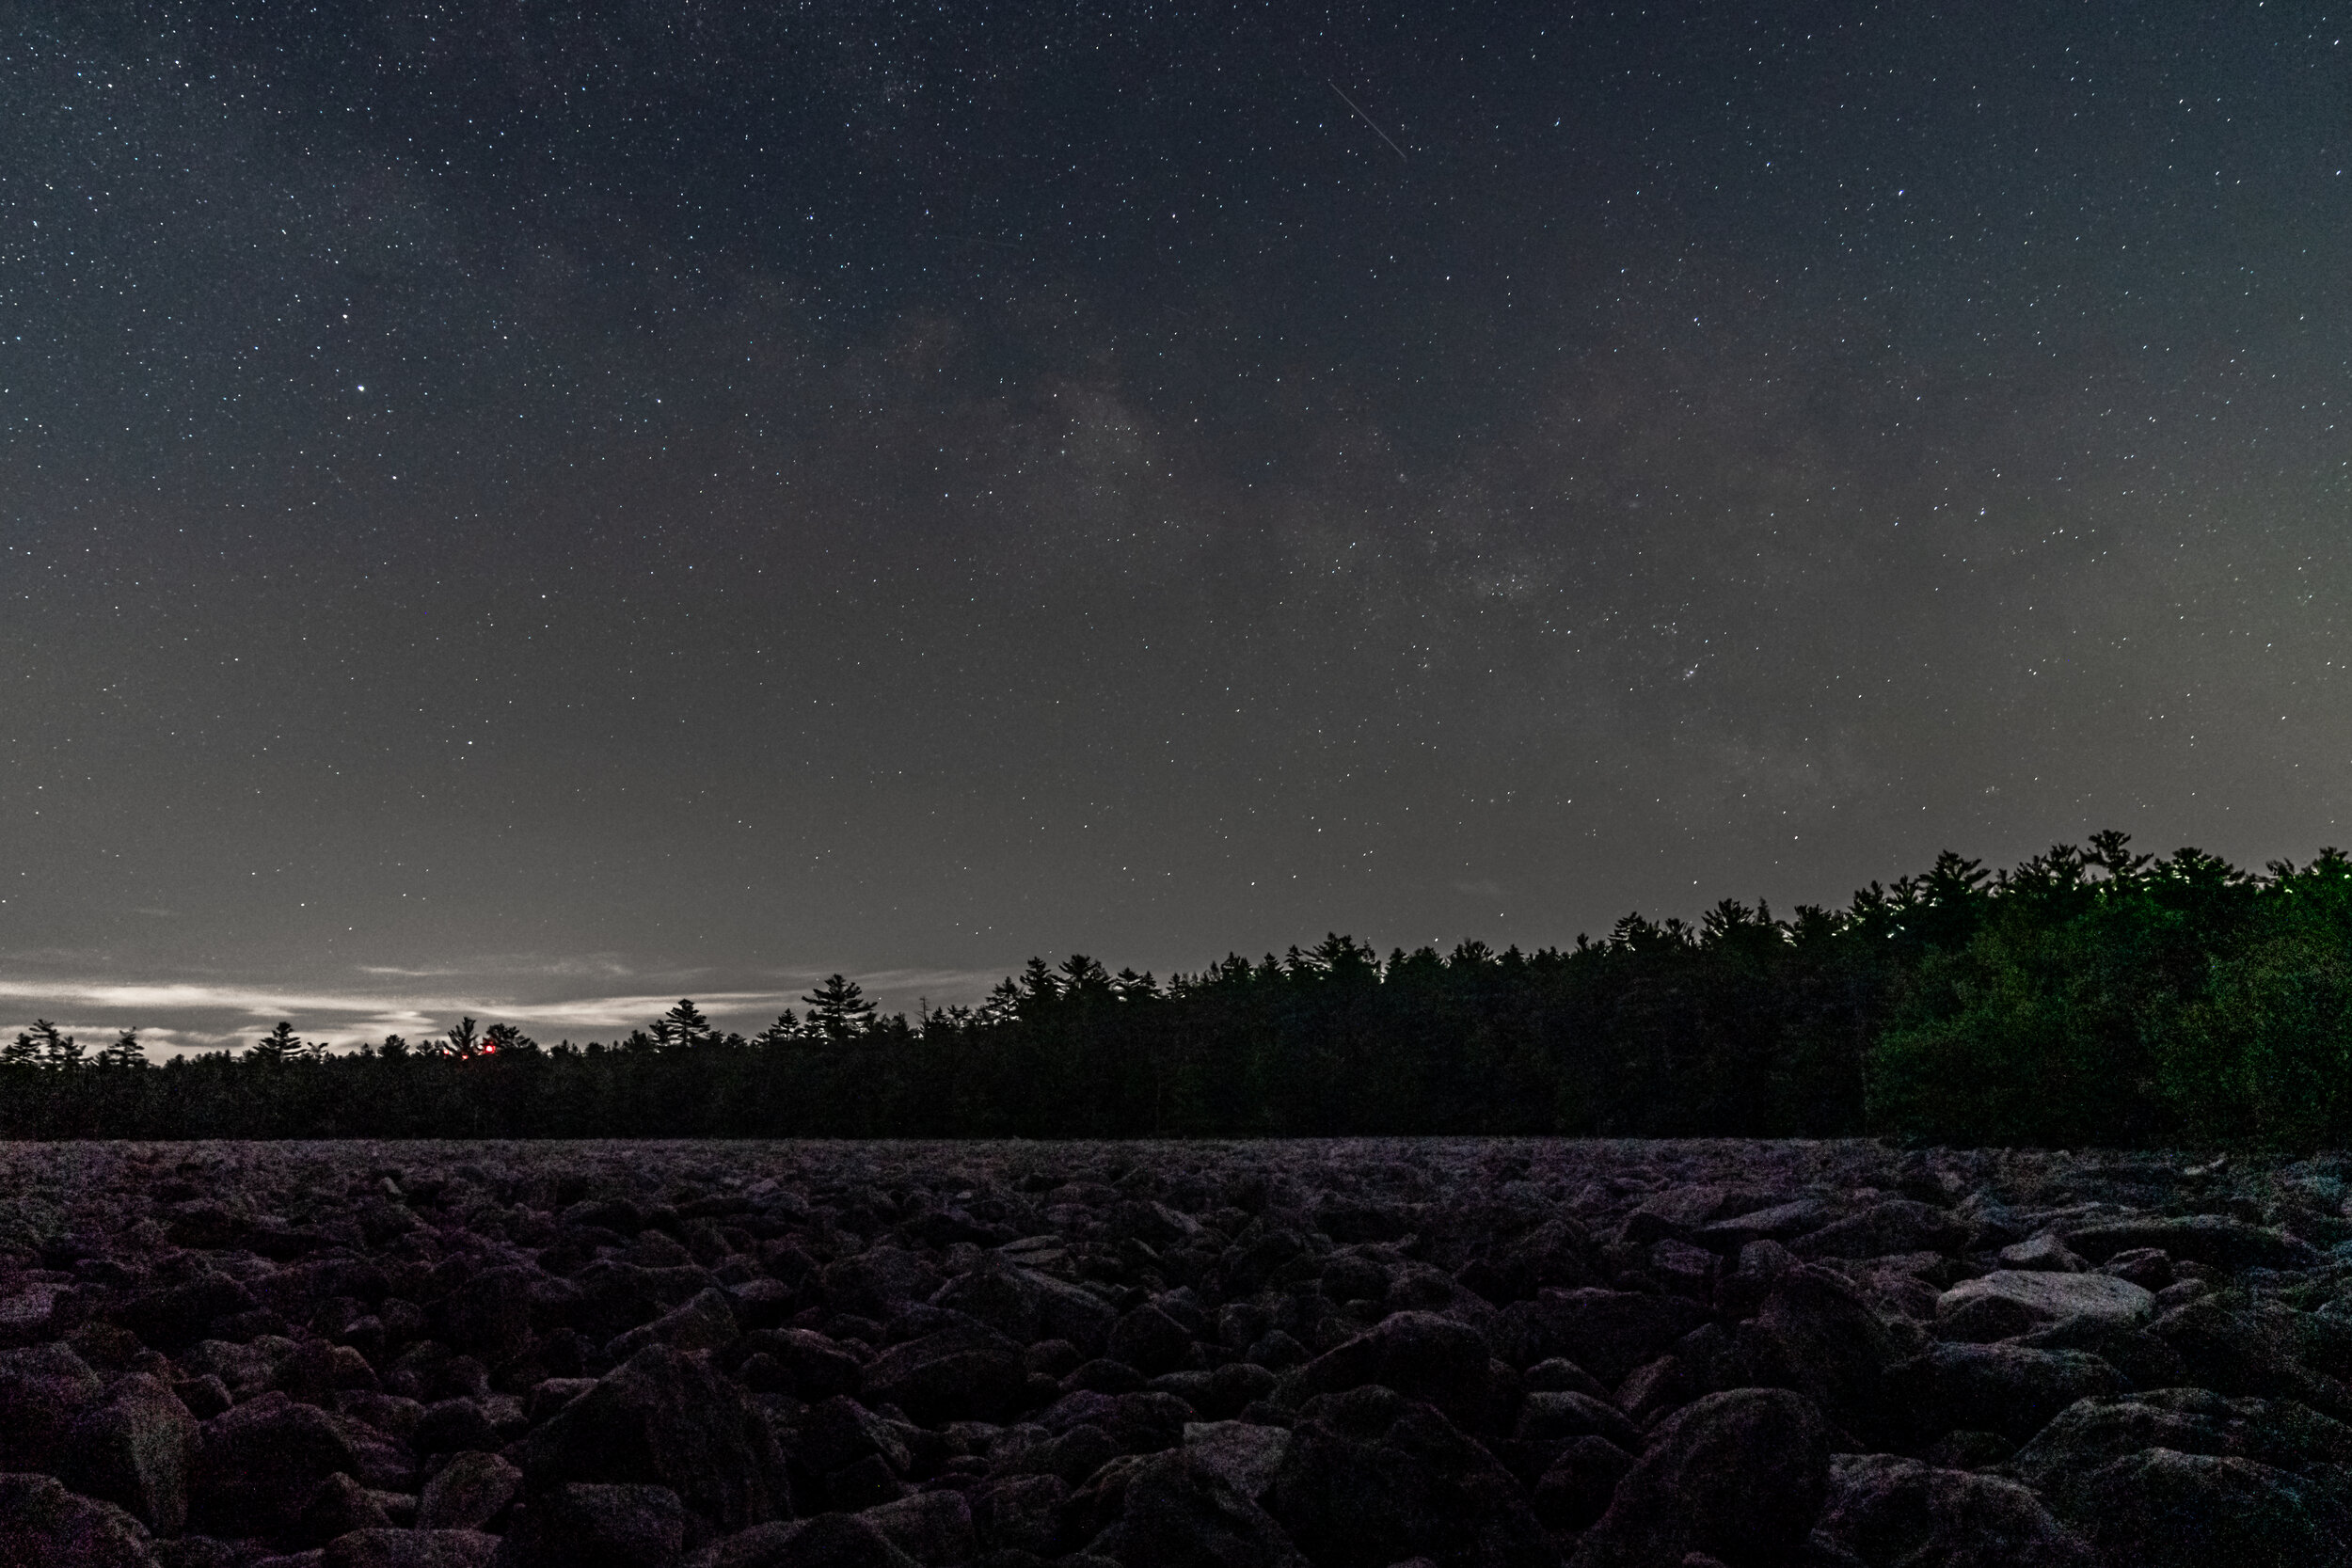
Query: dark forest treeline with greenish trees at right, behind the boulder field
pixel 2083 998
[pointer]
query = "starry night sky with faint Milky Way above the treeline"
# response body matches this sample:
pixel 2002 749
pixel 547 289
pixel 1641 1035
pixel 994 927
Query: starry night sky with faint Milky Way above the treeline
pixel 549 509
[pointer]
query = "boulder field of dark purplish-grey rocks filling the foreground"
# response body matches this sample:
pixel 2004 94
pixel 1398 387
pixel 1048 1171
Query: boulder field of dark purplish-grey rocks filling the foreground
pixel 1220 1355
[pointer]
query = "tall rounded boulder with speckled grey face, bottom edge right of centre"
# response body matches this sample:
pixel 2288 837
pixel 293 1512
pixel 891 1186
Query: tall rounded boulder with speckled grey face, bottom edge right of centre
pixel 1737 1477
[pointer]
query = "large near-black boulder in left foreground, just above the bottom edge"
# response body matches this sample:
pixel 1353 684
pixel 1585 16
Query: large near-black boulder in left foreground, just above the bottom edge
pixel 664 1421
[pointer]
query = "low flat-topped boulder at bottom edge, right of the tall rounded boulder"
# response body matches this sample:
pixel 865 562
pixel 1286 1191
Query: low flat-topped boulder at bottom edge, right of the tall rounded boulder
pixel 1892 1513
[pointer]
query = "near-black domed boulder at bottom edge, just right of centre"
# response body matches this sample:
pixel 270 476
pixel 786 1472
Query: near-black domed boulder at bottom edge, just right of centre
pixel 1372 1477
